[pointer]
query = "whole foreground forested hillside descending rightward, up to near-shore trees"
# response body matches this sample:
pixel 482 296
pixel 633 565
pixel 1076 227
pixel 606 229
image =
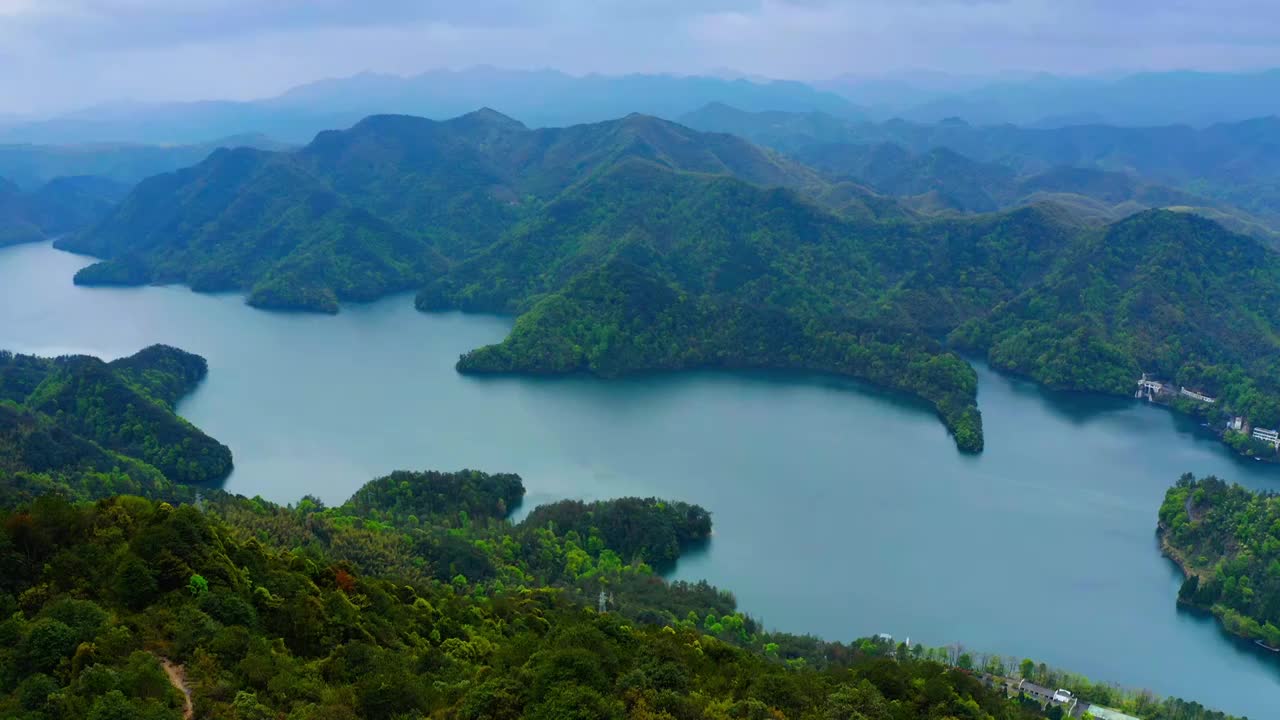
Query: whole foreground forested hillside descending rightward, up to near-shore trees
pixel 95 596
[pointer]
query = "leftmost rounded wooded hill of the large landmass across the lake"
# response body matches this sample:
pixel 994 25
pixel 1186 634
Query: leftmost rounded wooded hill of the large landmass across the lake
pixel 249 220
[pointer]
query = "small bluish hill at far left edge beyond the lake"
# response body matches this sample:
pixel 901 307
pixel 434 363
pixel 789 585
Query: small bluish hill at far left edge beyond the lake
pixel 62 206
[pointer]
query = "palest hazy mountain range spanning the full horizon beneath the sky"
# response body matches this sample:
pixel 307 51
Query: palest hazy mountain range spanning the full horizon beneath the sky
pixel 556 99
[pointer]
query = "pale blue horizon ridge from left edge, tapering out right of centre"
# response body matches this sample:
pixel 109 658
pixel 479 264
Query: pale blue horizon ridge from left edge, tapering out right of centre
pixel 537 98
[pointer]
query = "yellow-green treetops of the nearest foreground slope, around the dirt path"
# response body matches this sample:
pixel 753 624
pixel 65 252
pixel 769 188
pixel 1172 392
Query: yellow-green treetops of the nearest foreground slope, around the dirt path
pixel 365 648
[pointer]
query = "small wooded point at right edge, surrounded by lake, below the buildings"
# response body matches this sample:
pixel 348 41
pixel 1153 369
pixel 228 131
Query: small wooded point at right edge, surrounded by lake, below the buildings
pixel 1227 540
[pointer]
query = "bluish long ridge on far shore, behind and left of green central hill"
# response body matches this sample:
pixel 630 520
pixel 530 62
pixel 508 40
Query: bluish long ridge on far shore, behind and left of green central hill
pixel 383 207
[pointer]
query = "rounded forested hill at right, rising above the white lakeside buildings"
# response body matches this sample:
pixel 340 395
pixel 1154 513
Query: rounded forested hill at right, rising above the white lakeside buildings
pixel 1165 294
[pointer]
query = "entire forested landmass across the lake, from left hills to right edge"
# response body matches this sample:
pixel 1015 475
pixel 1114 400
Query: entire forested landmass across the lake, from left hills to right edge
pixel 642 245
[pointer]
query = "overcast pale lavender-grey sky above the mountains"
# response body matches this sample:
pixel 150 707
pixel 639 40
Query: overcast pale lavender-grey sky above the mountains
pixel 58 54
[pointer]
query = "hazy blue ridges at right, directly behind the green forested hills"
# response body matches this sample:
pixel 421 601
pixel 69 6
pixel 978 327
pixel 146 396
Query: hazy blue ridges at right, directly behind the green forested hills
pixel 1226 172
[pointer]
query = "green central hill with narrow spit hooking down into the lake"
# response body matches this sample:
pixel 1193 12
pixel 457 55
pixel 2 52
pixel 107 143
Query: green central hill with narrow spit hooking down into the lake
pixel 650 270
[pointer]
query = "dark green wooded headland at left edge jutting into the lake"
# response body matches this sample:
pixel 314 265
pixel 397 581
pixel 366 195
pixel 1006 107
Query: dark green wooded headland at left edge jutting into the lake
pixel 103 427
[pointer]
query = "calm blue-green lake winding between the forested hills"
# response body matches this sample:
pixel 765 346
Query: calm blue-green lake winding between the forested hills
pixel 839 512
